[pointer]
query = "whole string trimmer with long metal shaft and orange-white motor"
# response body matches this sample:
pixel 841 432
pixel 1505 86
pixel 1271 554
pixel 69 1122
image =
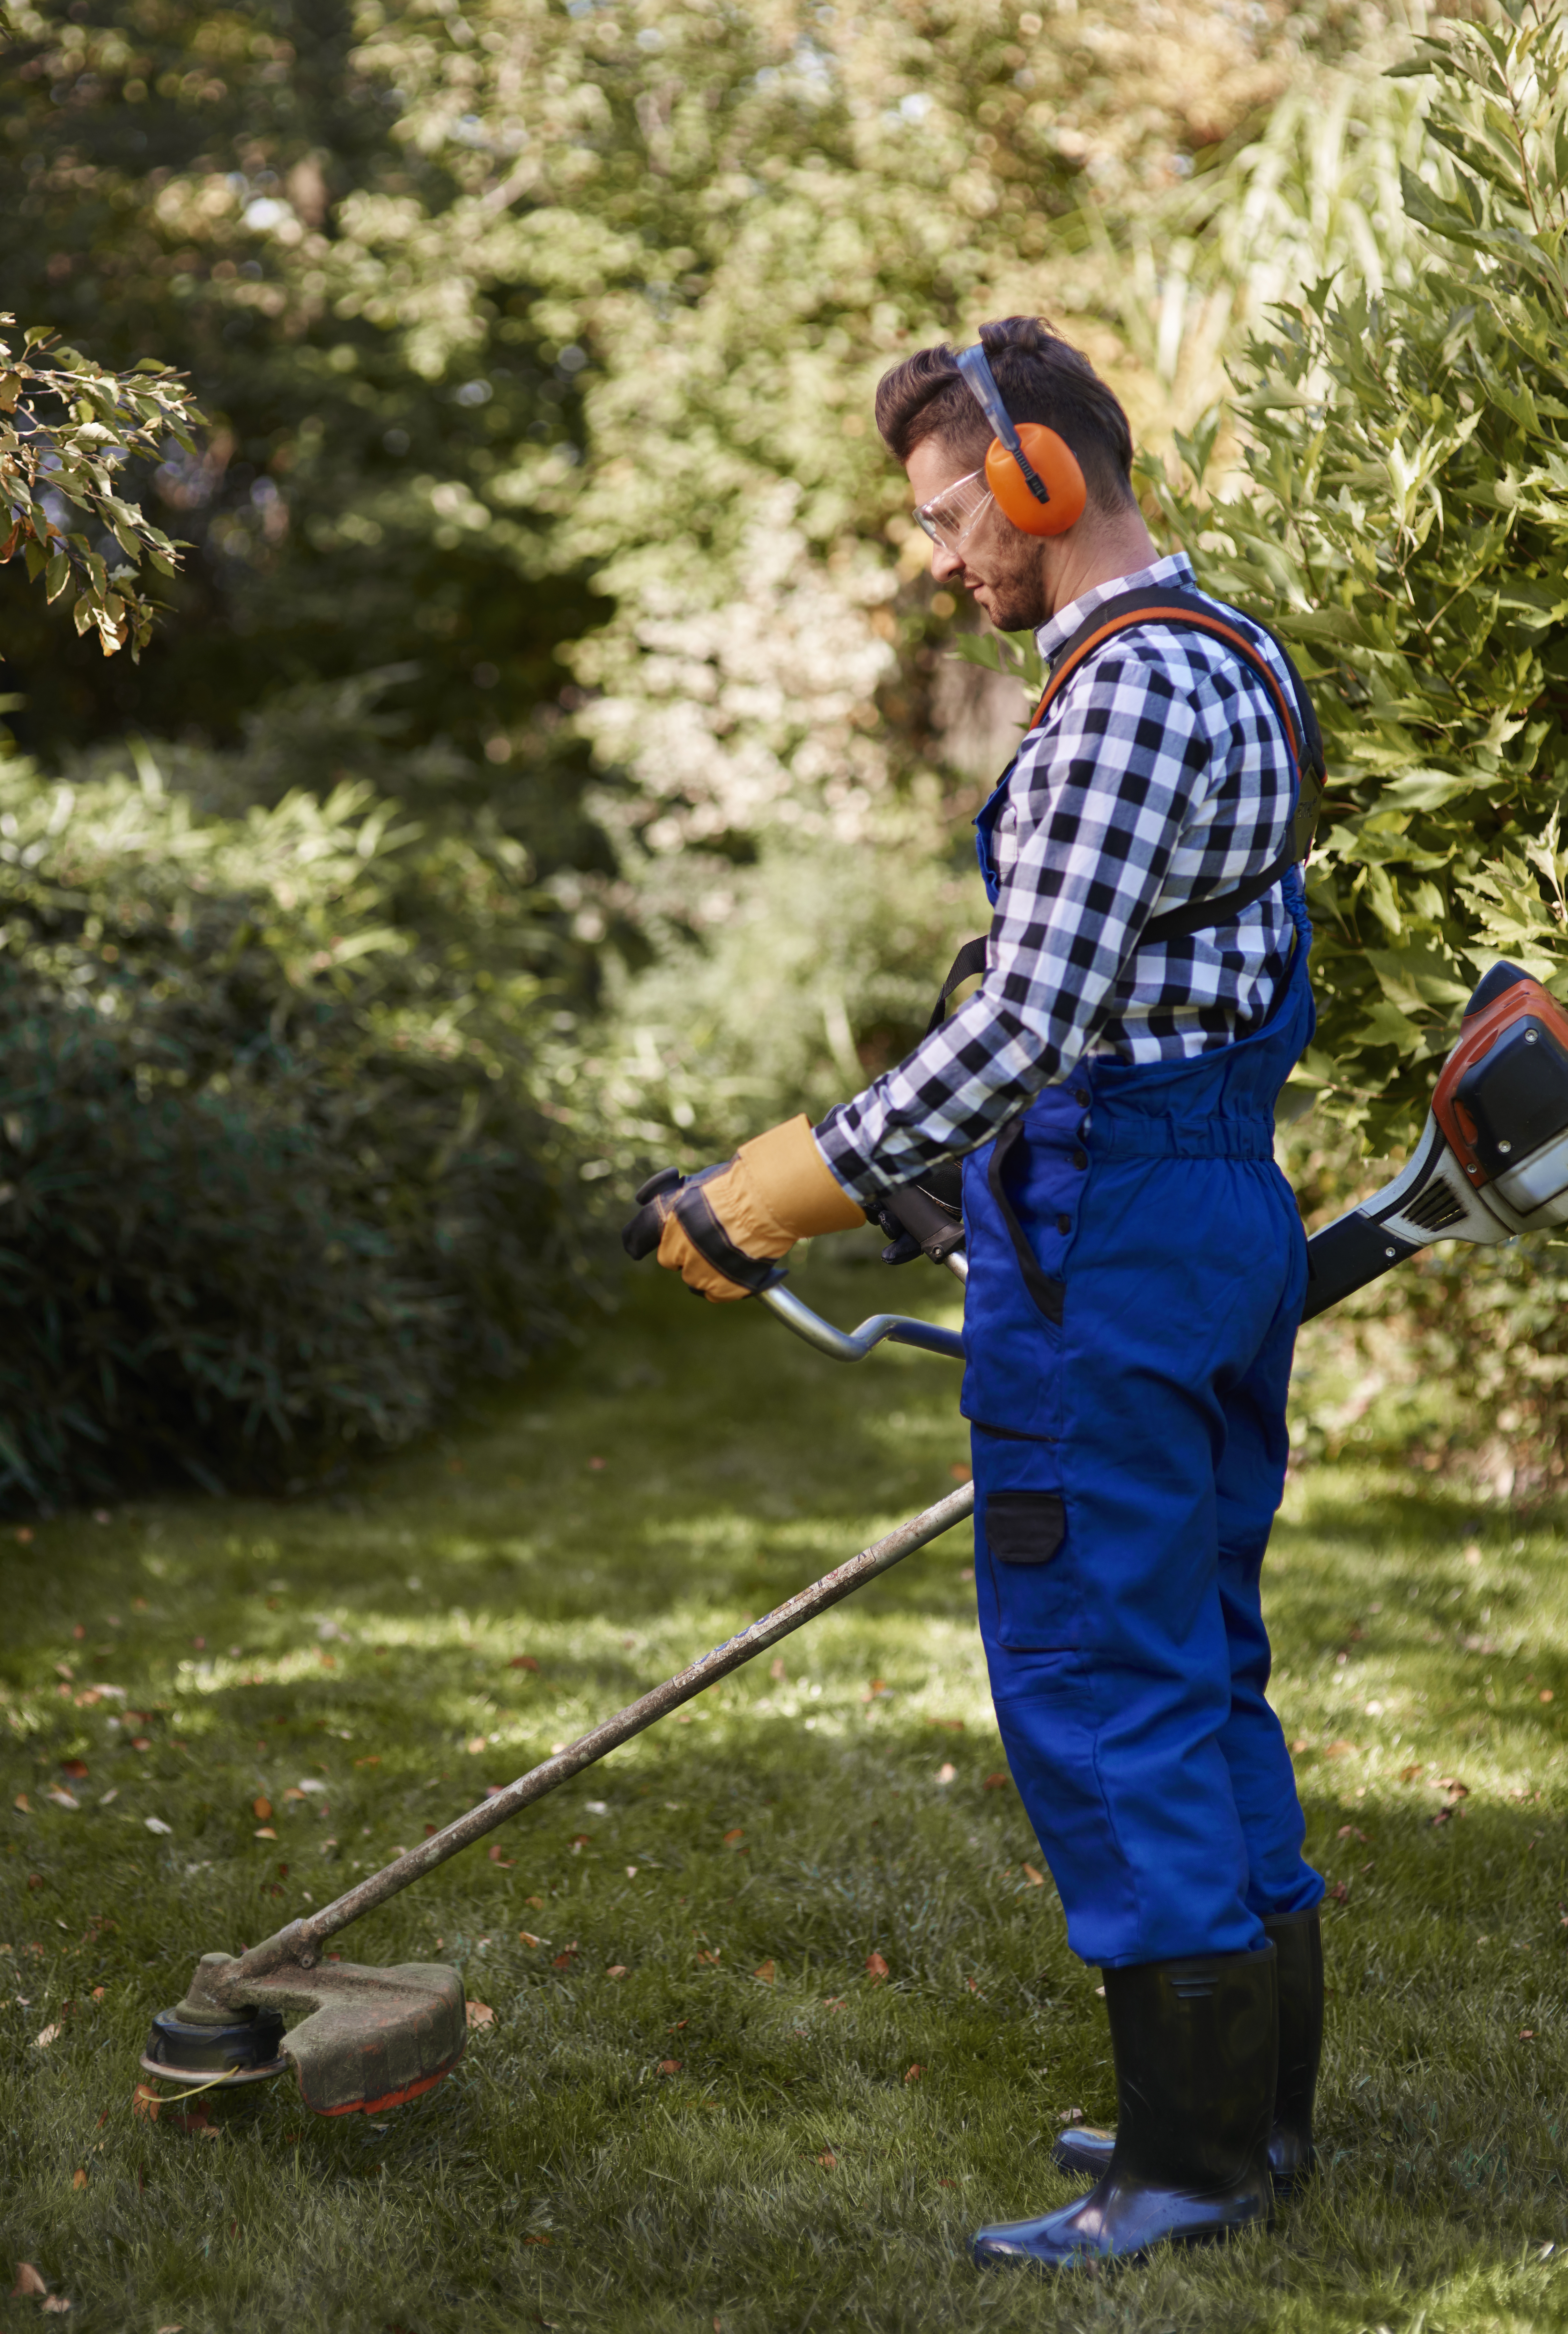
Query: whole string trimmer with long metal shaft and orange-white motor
pixel 1492 1163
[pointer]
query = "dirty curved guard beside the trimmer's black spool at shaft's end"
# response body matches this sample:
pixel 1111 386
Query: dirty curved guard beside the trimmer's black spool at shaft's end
pixel 370 2039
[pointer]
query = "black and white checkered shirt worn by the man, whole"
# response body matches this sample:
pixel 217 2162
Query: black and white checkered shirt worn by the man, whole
pixel 1158 776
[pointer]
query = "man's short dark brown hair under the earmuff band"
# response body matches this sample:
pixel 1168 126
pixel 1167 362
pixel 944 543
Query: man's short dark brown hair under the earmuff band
pixel 1042 379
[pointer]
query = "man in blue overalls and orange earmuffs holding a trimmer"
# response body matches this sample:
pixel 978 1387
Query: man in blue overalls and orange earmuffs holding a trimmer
pixel 1135 1276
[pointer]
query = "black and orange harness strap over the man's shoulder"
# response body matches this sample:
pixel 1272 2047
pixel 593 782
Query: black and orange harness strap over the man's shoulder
pixel 1298 720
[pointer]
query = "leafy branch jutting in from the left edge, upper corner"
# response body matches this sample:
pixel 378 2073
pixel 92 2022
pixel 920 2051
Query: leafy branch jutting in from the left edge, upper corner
pixel 69 428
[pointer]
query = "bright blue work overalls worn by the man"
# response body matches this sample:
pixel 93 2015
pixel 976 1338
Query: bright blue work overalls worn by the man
pixel 1135 1280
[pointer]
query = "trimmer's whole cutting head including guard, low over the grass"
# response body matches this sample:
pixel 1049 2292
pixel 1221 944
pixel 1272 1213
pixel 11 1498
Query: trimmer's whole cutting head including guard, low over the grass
pixel 367 2041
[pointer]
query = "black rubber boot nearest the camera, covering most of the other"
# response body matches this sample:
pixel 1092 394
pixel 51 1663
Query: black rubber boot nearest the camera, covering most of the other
pixel 1196 2057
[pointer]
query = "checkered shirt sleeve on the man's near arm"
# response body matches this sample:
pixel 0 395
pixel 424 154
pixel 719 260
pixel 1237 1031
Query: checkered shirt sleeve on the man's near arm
pixel 1102 795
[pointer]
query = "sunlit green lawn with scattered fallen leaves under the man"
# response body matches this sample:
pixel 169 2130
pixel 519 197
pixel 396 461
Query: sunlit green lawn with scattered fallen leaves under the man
pixel 363 1642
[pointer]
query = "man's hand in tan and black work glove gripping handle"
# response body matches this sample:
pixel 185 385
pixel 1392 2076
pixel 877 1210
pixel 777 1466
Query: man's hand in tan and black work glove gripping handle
pixel 727 1227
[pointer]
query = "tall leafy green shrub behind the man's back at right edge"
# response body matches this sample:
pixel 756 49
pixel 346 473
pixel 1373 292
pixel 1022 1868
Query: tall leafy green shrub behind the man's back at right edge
pixel 1403 522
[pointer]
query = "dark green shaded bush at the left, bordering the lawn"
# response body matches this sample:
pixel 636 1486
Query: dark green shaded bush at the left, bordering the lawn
pixel 274 1159
